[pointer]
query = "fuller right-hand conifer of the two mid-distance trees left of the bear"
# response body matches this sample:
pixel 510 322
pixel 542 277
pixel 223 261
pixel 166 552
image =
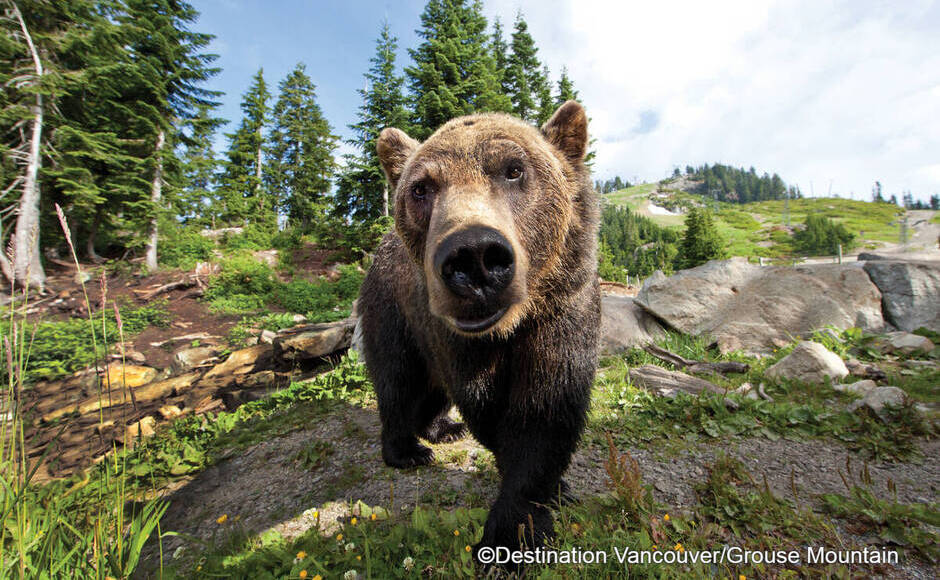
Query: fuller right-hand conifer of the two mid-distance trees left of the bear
pixel 300 162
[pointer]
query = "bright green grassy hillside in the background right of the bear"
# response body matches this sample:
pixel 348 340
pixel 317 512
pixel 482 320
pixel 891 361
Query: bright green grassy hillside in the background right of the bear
pixel 760 228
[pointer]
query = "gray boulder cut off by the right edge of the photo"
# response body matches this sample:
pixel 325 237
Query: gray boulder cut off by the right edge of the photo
pixel 910 292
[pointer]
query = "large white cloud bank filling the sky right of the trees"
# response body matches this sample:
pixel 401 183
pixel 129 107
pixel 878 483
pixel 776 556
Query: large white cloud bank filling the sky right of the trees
pixel 840 91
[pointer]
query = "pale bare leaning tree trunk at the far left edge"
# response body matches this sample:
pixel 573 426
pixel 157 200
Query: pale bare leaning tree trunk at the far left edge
pixel 27 266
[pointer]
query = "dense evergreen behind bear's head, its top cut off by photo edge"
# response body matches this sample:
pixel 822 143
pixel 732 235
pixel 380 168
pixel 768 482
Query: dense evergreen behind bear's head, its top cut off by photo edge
pixel 454 72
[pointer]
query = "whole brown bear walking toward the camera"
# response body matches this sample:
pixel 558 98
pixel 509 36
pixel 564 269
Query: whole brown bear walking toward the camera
pixel 486 296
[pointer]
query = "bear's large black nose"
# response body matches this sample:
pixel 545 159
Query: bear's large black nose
pixel 476 262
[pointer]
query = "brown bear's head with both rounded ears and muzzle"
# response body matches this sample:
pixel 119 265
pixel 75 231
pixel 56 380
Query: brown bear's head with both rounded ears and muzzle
pixel 497 214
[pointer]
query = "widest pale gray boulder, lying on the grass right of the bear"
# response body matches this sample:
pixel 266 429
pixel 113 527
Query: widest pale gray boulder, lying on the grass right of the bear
pixel 746 307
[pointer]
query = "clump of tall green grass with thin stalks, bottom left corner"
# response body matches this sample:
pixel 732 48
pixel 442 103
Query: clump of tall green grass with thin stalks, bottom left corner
pixel 89 527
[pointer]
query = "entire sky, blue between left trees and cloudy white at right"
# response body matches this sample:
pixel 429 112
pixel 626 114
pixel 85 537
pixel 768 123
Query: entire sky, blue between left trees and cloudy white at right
pixel 831 94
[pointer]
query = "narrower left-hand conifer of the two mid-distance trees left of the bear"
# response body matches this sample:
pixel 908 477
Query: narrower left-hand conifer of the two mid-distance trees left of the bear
pixel 241 190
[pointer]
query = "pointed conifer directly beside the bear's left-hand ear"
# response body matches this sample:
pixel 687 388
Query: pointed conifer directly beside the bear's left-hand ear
pixel 361 191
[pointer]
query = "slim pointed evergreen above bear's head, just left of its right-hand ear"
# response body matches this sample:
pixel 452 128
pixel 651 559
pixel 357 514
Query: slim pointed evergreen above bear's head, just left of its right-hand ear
pixel 526 81
